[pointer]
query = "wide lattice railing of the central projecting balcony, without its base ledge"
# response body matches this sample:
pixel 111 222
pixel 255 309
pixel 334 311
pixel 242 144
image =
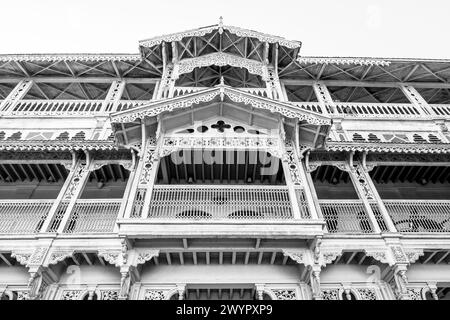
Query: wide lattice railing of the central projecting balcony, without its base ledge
pixel 220 202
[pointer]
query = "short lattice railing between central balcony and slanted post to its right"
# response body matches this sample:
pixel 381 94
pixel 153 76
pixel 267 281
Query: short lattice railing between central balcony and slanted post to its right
pixel 345 216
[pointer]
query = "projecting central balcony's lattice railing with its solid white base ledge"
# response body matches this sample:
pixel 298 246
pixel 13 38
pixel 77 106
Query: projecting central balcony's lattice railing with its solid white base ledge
pixel 207 210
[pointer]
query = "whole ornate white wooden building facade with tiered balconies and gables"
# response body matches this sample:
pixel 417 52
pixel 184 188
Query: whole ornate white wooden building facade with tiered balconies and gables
pixel 220 163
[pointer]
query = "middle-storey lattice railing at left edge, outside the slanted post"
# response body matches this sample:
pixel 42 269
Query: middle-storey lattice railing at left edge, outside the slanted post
pixel 23 216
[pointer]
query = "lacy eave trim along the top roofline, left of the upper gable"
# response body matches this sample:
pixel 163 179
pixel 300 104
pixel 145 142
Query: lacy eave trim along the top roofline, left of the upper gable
pixel 85 57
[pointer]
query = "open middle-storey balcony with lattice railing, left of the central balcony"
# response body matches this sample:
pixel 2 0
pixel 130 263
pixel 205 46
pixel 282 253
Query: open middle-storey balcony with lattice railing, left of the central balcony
pixel 96 210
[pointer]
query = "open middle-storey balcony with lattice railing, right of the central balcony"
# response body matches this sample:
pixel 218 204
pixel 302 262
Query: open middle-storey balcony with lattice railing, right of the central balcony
pixel 415 201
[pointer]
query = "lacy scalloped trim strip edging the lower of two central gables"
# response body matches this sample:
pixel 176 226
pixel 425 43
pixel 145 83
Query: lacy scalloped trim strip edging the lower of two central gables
pixel 154 108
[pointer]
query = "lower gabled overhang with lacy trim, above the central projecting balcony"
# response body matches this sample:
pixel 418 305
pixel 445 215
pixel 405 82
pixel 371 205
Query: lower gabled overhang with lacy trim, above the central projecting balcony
pixel 127 123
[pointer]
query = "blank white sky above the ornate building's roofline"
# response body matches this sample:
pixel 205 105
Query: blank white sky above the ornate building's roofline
pixel 382 28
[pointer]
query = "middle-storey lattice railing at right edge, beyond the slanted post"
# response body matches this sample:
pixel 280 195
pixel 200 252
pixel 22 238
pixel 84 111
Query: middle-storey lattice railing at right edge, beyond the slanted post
pixel 419 215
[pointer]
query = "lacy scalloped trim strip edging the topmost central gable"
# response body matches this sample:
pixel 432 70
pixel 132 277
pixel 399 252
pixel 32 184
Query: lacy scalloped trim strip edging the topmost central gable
pixel 241 32
